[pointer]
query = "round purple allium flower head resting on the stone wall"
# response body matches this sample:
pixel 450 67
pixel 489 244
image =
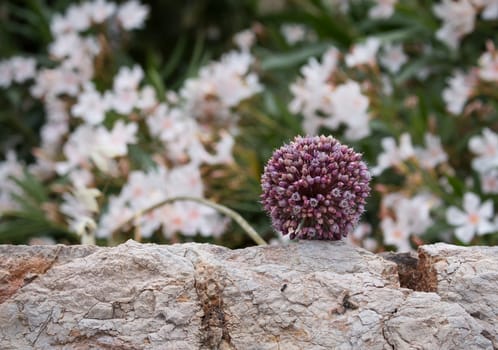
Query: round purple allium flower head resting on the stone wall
pixel 315 188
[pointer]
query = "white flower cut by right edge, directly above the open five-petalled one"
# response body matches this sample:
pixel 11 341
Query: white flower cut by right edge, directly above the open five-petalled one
pixel 486 147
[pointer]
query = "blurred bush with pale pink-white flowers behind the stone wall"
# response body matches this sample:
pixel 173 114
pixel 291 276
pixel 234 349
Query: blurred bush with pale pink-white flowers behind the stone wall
pixel 409 85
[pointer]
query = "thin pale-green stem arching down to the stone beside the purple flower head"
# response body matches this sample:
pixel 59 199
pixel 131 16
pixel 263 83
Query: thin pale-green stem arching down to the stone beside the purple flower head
pixel 221 208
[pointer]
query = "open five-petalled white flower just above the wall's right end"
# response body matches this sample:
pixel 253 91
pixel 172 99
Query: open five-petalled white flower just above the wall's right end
pixel 475 218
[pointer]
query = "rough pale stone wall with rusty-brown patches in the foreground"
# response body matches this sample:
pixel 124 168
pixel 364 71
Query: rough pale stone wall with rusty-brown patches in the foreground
pixel 308 295
